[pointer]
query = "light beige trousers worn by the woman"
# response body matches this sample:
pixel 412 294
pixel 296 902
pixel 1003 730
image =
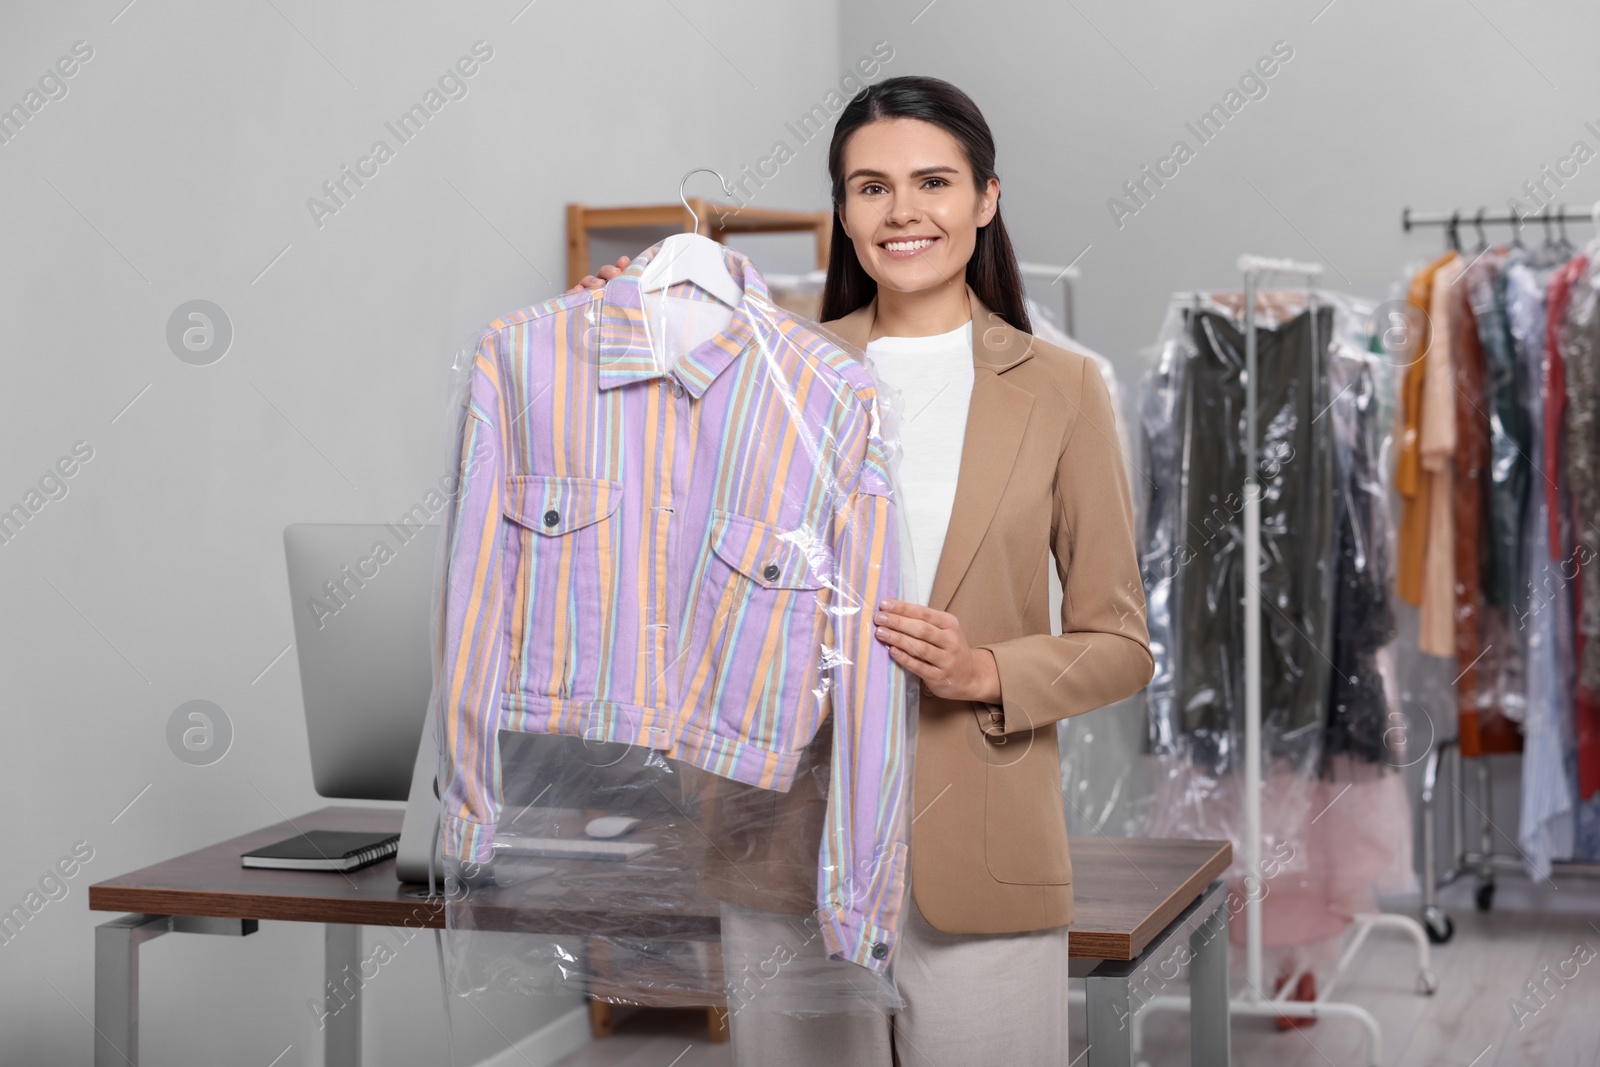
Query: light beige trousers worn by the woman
pixel 970 1001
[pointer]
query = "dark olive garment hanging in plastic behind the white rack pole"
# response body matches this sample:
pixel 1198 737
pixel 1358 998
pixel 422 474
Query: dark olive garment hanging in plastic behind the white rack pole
pixel 1199 474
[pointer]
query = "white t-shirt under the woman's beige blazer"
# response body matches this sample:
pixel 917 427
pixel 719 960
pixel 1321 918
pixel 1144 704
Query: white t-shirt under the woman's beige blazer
pixel 935 382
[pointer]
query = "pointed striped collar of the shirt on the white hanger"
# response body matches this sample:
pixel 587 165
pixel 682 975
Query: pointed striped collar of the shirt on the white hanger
pixel 625 350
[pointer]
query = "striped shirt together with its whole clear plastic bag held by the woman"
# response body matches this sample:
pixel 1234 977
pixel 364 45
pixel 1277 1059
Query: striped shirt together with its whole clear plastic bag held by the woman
pixel 660 693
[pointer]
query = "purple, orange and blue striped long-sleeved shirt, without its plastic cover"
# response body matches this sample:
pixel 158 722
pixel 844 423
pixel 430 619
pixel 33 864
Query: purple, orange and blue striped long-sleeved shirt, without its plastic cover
pixel 682 554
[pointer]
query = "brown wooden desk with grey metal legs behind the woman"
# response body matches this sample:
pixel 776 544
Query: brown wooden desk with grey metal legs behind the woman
pixel 1135 901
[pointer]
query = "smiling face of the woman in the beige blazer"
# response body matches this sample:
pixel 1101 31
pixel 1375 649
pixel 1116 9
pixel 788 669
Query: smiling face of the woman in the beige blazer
pixel 913 209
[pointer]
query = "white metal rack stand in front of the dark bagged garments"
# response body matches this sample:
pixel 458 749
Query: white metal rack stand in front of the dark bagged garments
pixel 1254 1001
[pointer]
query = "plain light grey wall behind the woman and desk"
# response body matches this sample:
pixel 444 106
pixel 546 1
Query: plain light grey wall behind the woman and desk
pixel 178 167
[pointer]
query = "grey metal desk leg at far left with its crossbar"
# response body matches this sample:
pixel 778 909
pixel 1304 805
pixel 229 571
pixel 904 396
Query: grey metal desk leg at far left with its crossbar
pixel 118 977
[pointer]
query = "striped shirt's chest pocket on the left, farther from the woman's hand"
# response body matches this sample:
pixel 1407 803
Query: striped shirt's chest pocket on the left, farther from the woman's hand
pixel 562 551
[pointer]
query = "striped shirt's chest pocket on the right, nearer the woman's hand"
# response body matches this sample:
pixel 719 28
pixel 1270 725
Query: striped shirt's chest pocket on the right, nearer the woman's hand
pixel 759 631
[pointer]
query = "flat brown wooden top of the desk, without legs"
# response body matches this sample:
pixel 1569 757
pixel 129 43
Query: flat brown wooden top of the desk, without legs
pixel 1126 890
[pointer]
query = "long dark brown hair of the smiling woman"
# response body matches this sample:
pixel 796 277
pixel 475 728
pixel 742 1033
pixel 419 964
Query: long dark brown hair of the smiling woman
pixel 993 270
